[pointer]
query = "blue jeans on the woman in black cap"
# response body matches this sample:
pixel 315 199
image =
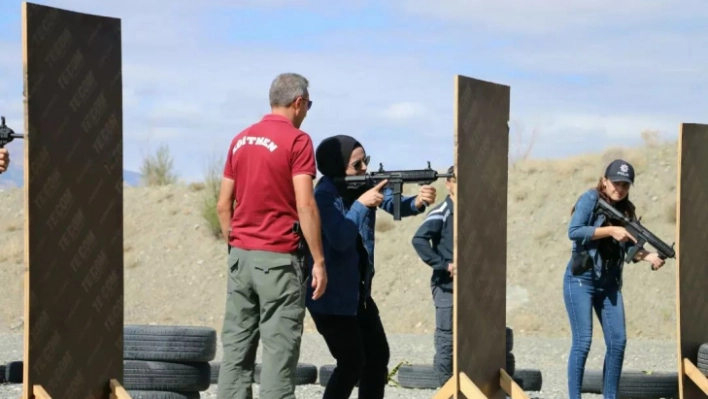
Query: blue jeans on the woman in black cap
pixel 582 294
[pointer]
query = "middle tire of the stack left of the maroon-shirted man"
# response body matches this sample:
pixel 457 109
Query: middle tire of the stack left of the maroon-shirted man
pixel 148 375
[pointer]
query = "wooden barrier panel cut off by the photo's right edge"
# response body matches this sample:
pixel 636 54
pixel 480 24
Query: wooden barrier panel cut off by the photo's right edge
pixel 691 273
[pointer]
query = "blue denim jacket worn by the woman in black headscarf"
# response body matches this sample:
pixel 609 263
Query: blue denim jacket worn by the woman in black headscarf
pixel 340 227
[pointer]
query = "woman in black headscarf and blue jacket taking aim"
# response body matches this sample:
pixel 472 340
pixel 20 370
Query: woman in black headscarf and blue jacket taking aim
pixel 346 315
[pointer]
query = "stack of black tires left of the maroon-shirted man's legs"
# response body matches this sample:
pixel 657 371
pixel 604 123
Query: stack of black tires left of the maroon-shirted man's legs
pixel 167 362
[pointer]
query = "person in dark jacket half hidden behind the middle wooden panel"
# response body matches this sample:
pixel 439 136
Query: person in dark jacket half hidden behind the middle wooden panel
pixel 434 243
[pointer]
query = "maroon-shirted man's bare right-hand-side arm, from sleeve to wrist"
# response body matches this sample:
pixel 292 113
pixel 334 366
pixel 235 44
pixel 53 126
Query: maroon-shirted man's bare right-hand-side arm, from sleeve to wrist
pixel 309 215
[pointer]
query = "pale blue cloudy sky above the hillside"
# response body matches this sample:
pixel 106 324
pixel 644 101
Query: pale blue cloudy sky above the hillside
pixel 585 75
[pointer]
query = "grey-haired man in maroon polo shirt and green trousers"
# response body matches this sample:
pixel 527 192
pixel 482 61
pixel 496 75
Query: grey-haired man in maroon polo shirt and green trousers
pixel 269 173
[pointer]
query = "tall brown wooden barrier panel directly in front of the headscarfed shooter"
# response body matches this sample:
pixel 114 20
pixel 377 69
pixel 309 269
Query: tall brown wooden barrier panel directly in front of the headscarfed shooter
pixel 481 168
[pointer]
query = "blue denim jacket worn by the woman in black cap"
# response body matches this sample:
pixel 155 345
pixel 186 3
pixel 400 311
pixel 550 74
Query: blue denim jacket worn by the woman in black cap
pixel 582 226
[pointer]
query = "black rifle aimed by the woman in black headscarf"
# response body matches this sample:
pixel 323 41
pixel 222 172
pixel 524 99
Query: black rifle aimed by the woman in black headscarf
pixel 396 179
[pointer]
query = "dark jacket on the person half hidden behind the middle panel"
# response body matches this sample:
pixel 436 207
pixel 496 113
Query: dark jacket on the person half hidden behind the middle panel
pixel 434 242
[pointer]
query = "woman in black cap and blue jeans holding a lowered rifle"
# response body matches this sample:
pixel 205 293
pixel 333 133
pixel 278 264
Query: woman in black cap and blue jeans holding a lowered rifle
pixel 593 276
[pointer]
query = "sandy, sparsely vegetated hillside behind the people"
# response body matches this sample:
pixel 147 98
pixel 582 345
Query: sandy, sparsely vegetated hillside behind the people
pixel 175 269
